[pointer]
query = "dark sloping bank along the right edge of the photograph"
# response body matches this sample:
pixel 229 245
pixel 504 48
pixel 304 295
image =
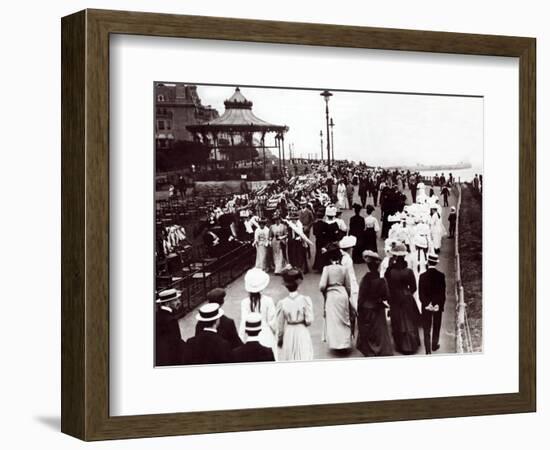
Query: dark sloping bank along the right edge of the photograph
pixel 470 248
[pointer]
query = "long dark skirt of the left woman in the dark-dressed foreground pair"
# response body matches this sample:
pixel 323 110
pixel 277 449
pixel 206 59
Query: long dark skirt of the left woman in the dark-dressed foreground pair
pixel 374 336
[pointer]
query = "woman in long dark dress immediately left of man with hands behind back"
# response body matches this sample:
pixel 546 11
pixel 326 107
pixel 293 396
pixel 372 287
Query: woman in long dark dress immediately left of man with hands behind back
pixel 404 314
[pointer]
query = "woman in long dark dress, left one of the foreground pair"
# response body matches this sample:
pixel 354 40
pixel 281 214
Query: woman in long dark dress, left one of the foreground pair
pixel 374 337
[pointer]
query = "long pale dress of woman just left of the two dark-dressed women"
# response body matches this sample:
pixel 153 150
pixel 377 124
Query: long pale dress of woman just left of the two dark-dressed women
pixel 335 285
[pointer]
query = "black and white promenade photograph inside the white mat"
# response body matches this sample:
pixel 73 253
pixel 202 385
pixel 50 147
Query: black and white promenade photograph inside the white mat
pixel 310 223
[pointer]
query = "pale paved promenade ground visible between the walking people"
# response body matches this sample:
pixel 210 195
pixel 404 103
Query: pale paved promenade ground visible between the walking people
pixel 310 287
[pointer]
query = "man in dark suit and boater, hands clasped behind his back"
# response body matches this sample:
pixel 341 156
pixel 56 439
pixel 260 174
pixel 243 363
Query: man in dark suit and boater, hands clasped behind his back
pixel 431 290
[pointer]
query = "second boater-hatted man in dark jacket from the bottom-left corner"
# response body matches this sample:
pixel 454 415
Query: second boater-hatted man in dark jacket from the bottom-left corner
pixel 207 346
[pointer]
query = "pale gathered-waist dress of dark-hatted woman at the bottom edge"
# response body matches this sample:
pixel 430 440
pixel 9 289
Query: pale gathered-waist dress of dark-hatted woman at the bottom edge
pixel 294 316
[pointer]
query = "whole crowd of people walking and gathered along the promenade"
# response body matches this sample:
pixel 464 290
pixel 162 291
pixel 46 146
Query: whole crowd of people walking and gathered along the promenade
pixel 293 223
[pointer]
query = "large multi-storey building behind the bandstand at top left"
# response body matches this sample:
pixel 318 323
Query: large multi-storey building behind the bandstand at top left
pixel 178 105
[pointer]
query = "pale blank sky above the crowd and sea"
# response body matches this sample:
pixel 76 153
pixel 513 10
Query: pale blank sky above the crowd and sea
pixel 377 128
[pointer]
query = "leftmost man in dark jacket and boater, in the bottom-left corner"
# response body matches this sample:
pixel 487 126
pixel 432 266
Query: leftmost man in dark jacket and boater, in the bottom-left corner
pixel 170 349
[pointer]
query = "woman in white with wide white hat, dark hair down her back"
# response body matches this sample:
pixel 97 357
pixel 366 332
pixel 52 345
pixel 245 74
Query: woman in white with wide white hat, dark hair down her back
pixel 255 281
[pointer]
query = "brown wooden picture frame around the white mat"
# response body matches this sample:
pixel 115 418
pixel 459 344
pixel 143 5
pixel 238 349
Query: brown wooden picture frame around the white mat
pixel 85 224
